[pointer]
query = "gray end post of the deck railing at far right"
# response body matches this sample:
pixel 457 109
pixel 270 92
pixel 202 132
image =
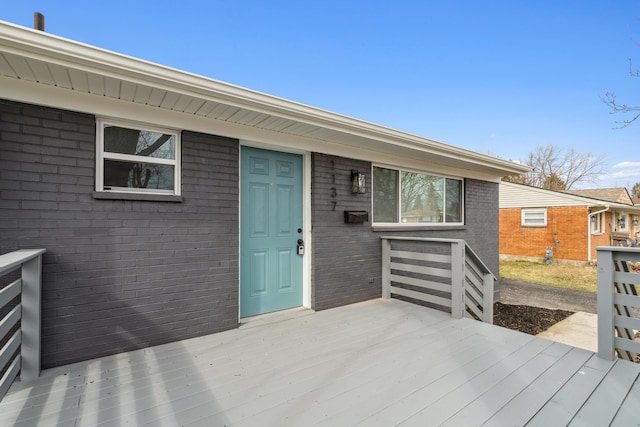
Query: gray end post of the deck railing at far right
pixel 606 334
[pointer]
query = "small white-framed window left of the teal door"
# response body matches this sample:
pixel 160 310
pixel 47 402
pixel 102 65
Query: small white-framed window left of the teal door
pixel 137 159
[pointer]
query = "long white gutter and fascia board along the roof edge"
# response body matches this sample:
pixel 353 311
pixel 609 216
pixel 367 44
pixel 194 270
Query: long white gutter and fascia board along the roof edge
pixel 49 48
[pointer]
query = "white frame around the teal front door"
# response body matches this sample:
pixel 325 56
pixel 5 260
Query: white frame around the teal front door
pixel 306 216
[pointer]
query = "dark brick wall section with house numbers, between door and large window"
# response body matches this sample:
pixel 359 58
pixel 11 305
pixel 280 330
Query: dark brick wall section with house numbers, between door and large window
pixel 346 257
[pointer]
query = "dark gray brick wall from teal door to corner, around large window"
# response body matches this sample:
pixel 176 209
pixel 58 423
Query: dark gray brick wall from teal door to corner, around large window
pixel 347 257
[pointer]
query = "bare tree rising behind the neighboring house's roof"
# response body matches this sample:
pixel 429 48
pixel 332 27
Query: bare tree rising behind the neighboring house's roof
pixel 555 169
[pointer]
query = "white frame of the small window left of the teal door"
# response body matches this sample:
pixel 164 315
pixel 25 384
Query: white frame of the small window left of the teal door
pixel 101 156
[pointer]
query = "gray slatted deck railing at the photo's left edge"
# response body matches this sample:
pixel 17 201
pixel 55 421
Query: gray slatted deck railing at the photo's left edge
pixel 20 324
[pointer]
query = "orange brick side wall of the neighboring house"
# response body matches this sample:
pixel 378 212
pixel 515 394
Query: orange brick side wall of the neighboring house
pixel 570 224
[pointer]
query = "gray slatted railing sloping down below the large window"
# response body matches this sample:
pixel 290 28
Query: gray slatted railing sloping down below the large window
pixel 444 274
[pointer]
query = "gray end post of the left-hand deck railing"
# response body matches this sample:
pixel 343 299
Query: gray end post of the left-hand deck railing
pixel 31 318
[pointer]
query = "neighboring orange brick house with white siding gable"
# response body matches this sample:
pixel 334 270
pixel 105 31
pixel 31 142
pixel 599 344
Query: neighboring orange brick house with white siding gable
pixel 570 224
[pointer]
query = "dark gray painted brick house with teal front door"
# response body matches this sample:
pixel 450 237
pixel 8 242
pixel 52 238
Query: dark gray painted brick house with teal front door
pixel 173 206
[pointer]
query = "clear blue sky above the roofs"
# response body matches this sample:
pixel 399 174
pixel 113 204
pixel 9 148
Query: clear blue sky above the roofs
pixel 497 77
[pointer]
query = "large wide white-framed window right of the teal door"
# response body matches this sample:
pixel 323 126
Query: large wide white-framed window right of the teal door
pixel 410 198
